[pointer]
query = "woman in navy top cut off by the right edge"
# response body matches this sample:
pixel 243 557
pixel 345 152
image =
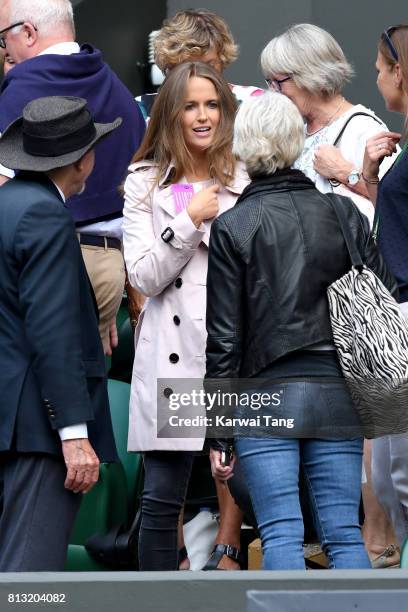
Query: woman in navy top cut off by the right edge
pixel 390 196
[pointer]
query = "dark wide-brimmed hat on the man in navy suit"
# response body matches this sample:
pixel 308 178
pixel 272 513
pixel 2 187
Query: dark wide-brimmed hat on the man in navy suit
pixel 53 132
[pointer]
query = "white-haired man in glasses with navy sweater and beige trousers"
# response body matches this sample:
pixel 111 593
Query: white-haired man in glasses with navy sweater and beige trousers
pixel 39 35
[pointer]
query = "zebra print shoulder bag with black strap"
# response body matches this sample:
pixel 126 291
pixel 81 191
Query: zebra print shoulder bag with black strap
pixel 371 337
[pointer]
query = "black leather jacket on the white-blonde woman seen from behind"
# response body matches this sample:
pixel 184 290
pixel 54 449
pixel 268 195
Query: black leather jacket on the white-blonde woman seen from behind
pixel 271 258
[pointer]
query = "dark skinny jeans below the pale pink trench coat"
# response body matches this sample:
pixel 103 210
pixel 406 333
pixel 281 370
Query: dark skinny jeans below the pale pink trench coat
pixel 167 474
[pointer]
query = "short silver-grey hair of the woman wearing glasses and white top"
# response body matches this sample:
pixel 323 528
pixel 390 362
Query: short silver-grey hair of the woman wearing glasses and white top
pixel 311 56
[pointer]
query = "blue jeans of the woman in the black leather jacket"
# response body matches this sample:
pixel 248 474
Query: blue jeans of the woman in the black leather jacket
pixel 332 469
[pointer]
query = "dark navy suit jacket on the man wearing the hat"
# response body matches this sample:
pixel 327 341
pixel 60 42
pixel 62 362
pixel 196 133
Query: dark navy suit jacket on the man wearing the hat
pixel 52 368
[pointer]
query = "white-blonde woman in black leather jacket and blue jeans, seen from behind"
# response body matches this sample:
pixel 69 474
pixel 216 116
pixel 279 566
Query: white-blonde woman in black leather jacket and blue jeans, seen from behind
pixel 268 320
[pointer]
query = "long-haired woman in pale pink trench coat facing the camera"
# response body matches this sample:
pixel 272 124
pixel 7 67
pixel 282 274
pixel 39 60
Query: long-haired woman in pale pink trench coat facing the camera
pixel 188 141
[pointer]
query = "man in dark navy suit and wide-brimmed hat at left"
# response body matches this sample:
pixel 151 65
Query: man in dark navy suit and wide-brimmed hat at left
pixel 54 414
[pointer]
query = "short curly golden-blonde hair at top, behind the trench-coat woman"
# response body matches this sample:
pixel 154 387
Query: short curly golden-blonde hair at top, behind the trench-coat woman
pixel 191 34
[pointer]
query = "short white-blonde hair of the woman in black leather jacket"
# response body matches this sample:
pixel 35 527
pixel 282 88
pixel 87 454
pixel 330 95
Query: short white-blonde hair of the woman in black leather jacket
pixel 269 133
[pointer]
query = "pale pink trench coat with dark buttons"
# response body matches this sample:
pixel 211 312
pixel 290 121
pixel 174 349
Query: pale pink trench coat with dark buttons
pixel 170 338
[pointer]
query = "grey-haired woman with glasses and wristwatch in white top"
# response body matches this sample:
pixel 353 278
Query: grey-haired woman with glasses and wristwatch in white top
pixel 308 66
